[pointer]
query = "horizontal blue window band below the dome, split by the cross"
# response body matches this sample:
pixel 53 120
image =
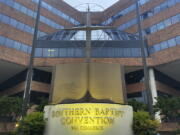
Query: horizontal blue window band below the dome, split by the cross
pixel 106 52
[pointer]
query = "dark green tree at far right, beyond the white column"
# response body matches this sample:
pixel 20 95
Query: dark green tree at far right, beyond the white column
pixel 169 108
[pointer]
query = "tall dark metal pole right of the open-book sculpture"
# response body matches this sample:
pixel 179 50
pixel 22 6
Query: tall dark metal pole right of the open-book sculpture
pixel 145 67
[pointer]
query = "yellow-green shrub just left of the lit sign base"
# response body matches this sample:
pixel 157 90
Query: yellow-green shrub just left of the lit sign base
pixel 32 124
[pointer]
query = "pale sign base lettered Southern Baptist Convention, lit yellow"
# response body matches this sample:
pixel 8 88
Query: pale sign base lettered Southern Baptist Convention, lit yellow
pixel 88 119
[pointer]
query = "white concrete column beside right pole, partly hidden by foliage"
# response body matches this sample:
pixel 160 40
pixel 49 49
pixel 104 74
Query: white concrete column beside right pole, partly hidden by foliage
pixel 153 88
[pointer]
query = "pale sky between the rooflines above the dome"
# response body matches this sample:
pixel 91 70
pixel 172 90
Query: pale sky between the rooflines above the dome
pixel 104 3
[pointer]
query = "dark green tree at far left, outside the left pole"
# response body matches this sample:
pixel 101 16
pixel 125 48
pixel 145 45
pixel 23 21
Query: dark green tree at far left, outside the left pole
pixel 10 108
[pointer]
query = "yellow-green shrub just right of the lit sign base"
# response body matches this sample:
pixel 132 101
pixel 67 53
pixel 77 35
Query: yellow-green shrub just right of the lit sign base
pixel 143 124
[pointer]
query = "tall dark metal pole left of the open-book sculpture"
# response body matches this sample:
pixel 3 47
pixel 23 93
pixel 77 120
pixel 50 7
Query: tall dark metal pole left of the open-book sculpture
pixel 29 76
